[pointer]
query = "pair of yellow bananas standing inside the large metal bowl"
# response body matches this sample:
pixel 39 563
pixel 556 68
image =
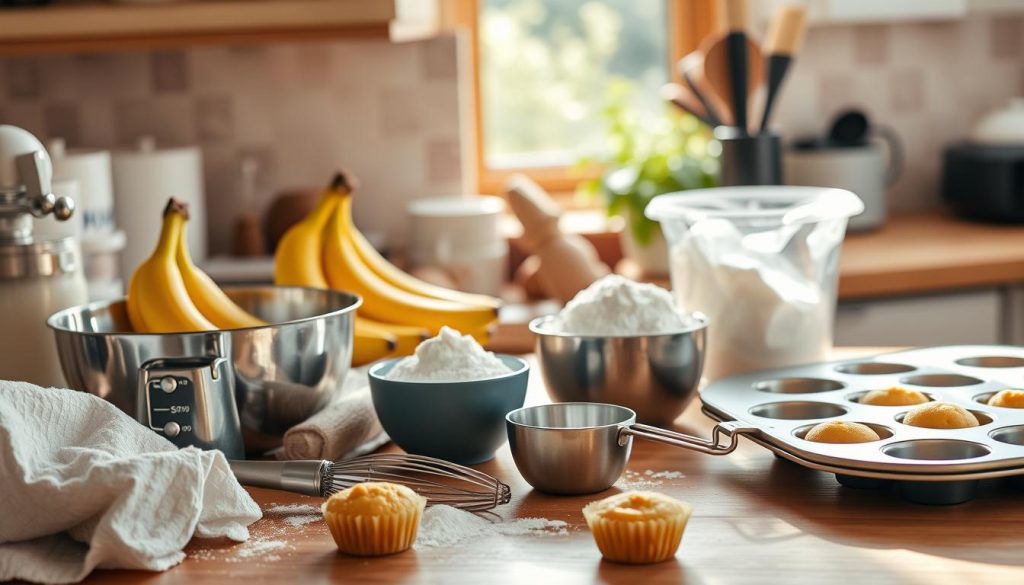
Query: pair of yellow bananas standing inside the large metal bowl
pixel 169 295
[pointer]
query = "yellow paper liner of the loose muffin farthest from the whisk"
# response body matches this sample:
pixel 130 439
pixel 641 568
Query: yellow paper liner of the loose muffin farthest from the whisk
pixel 637 542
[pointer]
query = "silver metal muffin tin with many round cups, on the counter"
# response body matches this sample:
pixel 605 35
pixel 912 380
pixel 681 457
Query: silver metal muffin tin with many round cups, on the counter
pixel 937 467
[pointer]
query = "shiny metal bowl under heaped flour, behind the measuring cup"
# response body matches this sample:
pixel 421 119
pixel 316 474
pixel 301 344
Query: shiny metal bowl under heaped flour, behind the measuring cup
pixel 654 375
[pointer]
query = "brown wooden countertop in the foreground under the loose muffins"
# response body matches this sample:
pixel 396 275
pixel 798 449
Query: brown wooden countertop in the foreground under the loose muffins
pixel 757 520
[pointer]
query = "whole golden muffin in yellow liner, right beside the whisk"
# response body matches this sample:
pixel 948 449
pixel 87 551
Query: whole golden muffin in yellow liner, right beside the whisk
pixel 374 519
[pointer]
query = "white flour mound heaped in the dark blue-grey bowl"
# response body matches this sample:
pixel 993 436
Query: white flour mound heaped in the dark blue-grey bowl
pixel 449 358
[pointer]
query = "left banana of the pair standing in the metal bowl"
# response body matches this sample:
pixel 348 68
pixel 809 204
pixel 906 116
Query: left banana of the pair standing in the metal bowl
pixel 158 295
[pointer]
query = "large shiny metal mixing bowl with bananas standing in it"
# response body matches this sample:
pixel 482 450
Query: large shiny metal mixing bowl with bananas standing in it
pixel 283 373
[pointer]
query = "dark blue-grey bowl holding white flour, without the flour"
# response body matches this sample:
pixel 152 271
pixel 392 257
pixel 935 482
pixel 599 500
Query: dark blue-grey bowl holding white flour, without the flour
pixel 462 423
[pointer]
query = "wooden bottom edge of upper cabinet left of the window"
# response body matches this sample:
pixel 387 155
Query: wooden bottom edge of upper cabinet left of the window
pixel 106 26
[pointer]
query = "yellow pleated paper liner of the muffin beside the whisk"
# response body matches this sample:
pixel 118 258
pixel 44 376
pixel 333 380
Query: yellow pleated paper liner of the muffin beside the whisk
pixel 374 536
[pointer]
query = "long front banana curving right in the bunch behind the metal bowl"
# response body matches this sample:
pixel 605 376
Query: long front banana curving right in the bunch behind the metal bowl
pixel 383 302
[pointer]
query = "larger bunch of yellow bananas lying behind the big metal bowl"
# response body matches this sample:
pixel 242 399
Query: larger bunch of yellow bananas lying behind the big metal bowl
pixel 326 250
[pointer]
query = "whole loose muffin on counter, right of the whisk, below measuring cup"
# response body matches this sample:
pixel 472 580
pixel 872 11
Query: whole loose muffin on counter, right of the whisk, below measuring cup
pixel 637 527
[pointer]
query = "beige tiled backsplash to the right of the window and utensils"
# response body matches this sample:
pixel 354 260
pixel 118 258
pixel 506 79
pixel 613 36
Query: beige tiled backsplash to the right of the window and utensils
pixel 928 81
